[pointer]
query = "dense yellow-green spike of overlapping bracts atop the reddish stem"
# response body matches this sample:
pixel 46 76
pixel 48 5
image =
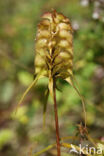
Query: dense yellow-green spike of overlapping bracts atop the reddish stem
pixel 53 47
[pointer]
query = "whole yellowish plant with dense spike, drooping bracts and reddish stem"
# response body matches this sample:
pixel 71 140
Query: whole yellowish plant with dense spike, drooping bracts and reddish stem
pixel 54 57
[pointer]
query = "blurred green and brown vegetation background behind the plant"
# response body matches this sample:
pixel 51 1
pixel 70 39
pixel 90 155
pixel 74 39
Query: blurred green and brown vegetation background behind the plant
pixel 23 132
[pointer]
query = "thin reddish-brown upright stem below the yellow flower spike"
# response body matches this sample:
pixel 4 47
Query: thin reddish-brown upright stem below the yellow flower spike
pixel 56 121
